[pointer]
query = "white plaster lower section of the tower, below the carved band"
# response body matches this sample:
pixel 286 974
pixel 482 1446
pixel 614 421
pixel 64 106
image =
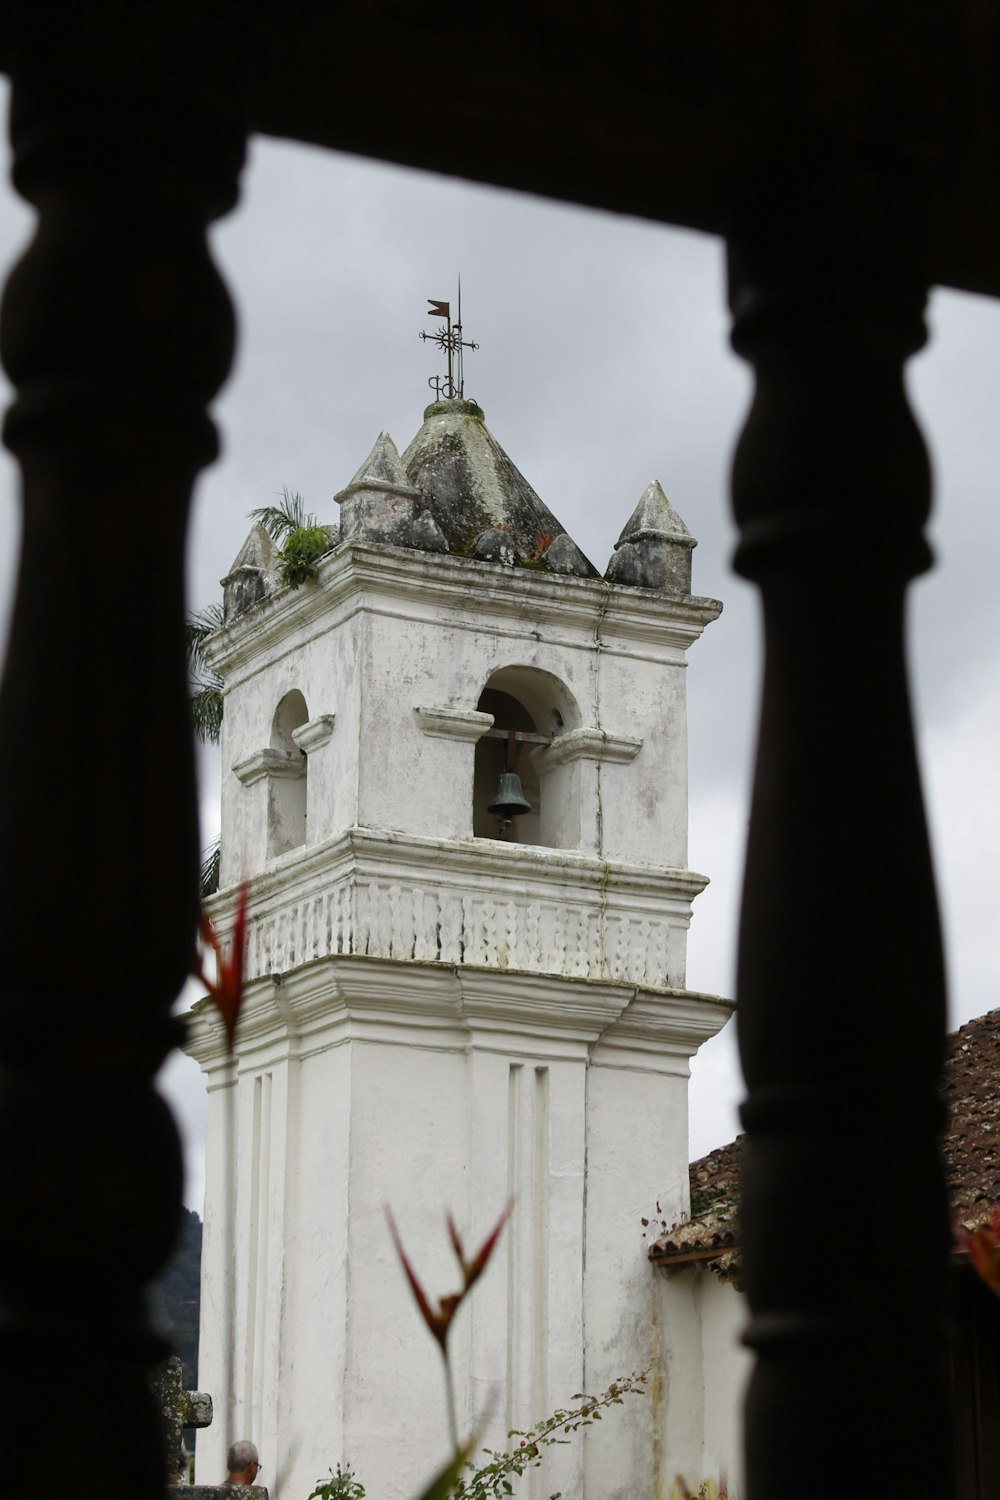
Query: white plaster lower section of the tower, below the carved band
pixel 368 1082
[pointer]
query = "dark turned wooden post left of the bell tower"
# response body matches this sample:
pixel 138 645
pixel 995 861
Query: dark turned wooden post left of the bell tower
pixel 116 332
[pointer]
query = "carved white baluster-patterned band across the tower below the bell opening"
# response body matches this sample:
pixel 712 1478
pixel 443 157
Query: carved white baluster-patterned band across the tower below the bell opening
pixel 525 932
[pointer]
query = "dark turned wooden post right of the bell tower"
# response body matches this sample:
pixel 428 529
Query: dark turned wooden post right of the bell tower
pixel 842 1006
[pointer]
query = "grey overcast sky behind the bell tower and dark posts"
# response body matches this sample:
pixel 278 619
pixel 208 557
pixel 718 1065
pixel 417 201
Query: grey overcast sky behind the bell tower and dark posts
pixel 603 364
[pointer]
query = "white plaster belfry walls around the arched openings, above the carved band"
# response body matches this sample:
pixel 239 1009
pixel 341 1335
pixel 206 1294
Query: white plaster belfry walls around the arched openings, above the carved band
pixel 388 632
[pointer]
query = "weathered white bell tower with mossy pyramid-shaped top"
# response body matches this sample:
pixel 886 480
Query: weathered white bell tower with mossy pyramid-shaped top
pixel 446 1007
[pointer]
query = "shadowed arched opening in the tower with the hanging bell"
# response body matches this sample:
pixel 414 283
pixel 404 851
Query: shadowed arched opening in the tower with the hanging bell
pixel 536 706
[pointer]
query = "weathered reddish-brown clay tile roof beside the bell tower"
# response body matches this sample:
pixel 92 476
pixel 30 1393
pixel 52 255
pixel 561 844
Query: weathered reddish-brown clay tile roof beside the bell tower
pixel 971 1147
